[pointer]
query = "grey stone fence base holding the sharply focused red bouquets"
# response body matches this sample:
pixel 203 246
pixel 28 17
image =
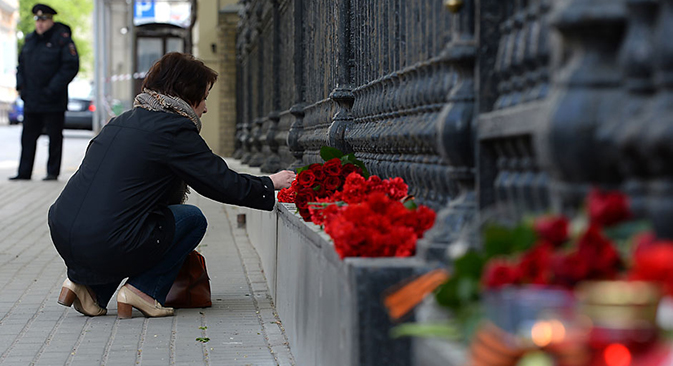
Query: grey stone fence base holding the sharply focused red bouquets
pixel 331 309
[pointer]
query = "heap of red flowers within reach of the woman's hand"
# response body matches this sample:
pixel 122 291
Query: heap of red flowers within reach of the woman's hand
pixel 365 216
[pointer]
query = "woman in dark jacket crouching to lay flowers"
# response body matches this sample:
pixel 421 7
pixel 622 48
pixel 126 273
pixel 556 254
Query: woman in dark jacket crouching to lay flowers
pixel 115 218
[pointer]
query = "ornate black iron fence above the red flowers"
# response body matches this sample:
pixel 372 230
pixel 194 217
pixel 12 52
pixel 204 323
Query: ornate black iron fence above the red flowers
pixel 478 108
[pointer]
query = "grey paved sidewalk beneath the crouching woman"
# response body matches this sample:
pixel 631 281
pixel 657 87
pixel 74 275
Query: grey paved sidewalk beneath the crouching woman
pixel 34 330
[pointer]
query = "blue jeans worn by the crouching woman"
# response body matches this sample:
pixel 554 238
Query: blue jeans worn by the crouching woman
pixel 190 227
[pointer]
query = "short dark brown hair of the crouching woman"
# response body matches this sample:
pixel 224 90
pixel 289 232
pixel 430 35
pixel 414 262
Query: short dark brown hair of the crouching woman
pixel 180 75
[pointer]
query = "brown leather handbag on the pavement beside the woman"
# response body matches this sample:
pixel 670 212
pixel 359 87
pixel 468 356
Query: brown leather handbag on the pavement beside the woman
pixel 191 288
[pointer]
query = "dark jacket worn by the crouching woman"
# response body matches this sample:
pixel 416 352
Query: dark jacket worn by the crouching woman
pixel 111 221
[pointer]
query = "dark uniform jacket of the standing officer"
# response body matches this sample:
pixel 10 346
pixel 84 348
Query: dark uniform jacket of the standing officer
pixel 47 64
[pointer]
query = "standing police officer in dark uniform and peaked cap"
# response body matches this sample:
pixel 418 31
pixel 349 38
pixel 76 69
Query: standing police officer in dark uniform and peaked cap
pixel 47 64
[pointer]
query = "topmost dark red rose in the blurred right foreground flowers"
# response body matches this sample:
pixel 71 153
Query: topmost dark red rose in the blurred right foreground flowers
pixel 607 208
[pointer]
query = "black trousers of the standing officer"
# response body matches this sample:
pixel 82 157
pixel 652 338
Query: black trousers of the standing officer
pixel 33 124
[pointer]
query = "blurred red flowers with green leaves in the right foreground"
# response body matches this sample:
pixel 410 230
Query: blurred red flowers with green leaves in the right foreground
pixel 547 251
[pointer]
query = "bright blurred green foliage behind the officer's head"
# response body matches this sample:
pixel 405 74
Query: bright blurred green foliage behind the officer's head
pixel 77 14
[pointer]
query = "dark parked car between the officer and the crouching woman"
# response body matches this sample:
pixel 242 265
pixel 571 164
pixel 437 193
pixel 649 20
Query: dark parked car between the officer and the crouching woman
pixel 80 106
